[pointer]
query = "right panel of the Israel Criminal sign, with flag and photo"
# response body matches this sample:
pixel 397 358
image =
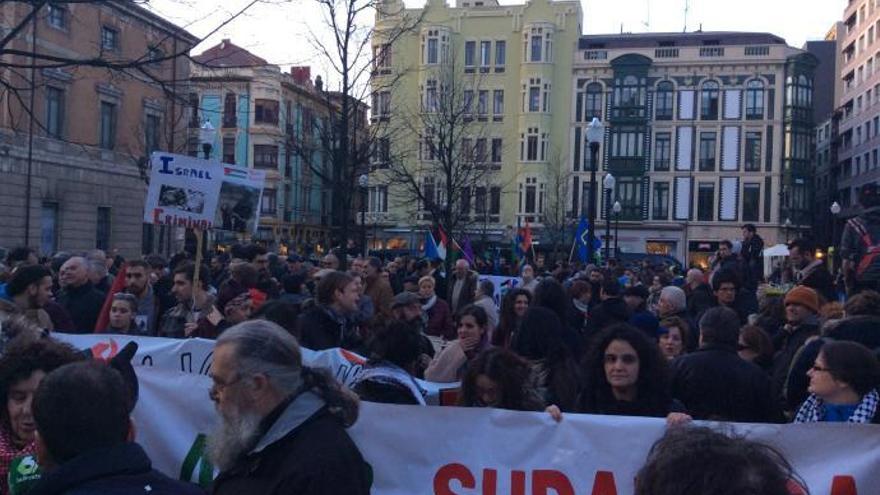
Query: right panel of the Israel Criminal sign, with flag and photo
pixel 241 192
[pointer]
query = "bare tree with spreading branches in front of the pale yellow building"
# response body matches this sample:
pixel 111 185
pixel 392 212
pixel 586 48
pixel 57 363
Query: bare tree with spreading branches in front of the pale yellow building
pixel 445 159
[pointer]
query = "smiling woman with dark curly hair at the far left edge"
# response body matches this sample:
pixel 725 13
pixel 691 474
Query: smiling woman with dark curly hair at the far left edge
pixel 26 360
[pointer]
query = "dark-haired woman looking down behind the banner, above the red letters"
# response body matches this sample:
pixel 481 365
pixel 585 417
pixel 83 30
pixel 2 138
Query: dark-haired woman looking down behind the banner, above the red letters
pixel 501 379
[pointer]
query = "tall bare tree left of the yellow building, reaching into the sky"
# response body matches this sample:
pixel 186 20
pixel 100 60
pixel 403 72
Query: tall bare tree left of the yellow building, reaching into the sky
pixel 338 151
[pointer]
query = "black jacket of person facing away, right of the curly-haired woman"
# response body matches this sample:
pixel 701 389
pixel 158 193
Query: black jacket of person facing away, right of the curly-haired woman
pixel 715 384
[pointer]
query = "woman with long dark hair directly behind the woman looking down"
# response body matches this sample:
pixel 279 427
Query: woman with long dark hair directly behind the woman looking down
pixel 540 340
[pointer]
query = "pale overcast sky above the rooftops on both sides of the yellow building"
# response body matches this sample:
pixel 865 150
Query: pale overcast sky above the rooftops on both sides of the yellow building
pixel 279 33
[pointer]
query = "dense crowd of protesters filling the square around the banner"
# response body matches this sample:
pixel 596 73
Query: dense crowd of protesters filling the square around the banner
pixel 636 340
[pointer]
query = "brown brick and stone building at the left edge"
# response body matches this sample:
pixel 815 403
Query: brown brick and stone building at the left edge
pixel 96 119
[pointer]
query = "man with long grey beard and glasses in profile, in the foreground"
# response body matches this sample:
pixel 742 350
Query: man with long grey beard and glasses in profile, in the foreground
pixel 282 425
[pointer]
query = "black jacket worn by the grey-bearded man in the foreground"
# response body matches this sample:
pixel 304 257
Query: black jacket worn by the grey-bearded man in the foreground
pixel 312 456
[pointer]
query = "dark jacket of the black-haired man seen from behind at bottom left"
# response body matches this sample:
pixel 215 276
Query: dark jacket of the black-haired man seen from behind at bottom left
pixel 121 470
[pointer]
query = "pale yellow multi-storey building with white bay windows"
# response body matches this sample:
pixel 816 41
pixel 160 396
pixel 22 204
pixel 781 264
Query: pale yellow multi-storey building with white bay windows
pixel 511 64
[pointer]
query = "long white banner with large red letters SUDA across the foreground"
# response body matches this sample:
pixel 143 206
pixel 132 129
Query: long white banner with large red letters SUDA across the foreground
pixel 474 451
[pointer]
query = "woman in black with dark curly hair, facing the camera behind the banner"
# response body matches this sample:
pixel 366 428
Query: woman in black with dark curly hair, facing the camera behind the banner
pixel 627 376
